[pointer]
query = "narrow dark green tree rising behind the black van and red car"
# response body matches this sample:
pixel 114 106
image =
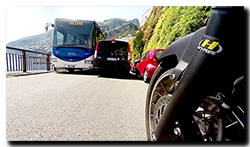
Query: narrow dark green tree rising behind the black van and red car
pixel 138 44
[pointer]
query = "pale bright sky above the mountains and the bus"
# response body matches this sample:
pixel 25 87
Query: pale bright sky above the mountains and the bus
pixel 23 21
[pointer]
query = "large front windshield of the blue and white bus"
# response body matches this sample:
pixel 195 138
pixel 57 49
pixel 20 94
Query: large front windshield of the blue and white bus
pixel 73 34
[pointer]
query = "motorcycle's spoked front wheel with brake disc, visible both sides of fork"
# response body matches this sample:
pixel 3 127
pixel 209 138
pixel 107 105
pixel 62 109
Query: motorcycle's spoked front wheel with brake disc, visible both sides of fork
pixel 203 122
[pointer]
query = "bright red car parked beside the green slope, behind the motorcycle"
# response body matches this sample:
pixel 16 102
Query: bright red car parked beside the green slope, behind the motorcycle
pixel 147 64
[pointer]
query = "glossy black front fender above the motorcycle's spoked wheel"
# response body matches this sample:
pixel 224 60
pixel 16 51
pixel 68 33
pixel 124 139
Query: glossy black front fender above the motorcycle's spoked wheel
pixel 179 53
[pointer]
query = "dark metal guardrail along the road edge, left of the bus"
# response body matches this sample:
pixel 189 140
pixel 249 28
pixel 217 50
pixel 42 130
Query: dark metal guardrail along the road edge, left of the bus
pixel 24 60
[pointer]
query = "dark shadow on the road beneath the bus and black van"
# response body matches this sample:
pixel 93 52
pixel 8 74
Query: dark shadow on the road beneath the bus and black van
pixel 102 74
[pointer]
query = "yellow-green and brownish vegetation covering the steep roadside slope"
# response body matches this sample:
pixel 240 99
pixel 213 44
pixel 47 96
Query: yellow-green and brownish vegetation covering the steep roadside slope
pixel 169 23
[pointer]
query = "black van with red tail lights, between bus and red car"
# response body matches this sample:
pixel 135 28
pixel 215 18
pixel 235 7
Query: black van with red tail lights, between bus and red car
pixel 112 54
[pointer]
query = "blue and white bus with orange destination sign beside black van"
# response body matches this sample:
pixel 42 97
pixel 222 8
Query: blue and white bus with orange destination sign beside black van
pixel 74 43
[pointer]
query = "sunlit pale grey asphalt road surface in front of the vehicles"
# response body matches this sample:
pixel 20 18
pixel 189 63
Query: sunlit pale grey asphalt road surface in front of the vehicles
pixel 79 106
